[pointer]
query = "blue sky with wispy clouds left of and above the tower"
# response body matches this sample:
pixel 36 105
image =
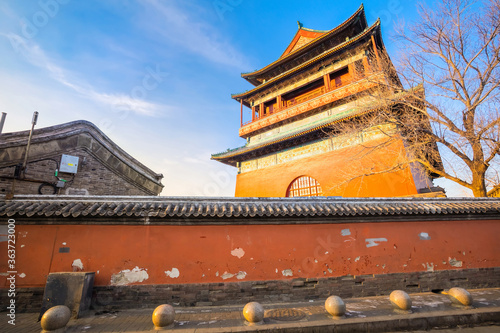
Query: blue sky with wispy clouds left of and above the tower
pixel 156 76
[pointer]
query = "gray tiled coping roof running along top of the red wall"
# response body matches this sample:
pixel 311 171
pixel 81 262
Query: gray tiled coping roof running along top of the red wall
pixel 199 207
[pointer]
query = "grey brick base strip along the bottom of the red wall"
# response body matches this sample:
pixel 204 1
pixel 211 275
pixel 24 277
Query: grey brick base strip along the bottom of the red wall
pixel 295 290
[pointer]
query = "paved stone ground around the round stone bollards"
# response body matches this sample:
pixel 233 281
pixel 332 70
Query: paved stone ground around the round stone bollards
pixel 370 314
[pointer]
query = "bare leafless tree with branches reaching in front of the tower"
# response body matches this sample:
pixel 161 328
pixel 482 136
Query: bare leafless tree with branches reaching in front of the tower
pixel 446 92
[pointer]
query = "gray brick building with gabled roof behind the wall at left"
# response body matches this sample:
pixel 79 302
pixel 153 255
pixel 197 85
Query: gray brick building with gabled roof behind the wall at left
pixel 74 158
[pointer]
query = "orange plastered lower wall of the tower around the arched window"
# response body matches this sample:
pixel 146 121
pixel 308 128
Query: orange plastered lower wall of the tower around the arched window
pixel 332 169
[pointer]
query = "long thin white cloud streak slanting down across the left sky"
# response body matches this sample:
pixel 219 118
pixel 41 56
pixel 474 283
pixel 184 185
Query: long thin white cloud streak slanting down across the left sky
pixel 121 101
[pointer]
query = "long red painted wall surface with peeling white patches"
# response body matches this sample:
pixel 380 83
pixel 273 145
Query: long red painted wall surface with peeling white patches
pixel 204 253
